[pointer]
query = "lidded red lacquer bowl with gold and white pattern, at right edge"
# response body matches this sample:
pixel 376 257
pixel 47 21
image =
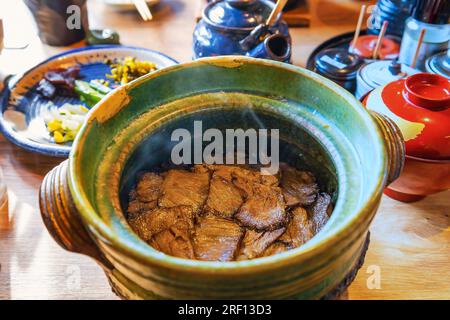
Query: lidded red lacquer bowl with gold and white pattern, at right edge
pixel 420 106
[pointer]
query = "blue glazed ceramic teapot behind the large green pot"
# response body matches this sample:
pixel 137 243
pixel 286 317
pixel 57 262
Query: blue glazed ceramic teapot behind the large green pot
pixel 231 27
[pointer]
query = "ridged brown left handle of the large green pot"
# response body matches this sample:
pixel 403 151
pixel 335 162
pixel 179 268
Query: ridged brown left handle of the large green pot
pixel 62 219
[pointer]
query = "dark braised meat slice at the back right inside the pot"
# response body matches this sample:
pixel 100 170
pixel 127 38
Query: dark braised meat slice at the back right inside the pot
pixel 299 187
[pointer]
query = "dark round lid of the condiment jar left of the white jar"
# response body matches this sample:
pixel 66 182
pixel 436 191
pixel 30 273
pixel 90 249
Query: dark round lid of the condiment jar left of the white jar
pixel 338 63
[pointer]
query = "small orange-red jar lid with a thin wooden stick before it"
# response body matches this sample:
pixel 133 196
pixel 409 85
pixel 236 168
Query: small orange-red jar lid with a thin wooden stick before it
pixel 365 45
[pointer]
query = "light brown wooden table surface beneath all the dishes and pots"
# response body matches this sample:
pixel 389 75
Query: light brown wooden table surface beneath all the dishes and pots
pixel 410 244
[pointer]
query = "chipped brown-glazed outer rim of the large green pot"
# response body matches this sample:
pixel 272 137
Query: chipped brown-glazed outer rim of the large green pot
pixel 96 225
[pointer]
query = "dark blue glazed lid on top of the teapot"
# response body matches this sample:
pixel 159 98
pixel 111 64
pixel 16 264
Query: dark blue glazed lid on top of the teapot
pixel 237 13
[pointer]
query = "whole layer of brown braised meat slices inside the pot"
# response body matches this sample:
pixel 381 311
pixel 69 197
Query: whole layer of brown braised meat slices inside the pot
pixel 227 213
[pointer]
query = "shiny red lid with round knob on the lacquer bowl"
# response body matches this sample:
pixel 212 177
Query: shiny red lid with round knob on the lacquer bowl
pixel 420 105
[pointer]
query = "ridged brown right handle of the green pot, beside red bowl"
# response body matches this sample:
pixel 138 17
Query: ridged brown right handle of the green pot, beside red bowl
pixel 395 145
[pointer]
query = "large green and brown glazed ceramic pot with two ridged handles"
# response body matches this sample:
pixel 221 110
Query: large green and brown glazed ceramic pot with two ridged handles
pixel 322 127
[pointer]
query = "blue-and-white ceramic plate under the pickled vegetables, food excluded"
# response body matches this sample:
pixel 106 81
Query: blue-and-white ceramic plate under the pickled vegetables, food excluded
pixel 22 109
